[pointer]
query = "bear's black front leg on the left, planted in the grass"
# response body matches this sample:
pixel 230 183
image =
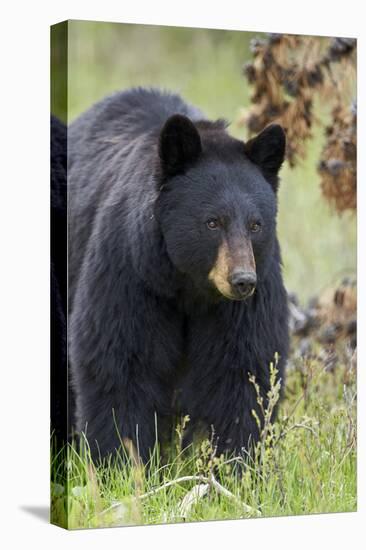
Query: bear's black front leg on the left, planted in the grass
pixel 123 352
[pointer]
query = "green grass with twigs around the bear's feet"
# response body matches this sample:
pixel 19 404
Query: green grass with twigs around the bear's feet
pixel 306 464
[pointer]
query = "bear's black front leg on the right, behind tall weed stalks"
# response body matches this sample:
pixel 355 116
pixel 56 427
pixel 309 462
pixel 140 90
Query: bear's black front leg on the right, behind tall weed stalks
pixel 228 346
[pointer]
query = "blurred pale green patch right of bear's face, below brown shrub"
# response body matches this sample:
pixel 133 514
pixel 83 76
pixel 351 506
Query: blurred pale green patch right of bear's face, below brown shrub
pixel 318 246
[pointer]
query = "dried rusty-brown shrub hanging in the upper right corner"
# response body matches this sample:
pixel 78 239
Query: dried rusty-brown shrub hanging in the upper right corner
pixel 288 73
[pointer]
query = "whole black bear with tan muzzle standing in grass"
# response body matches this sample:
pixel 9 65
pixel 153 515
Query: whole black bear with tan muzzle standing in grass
pixel 176 293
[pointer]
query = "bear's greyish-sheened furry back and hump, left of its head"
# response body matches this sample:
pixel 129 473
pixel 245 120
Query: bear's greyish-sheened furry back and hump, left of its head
pixel 111 154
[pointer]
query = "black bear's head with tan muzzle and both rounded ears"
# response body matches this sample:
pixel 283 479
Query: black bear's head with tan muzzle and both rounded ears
pixel 217 203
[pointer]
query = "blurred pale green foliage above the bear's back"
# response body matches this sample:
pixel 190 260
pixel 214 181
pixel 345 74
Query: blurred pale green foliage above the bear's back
pixel 203 65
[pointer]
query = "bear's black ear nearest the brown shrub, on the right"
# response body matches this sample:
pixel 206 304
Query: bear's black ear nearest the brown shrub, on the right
pixel 267 150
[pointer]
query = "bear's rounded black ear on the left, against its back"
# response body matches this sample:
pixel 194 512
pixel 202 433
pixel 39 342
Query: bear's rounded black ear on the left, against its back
pixel 179 144
